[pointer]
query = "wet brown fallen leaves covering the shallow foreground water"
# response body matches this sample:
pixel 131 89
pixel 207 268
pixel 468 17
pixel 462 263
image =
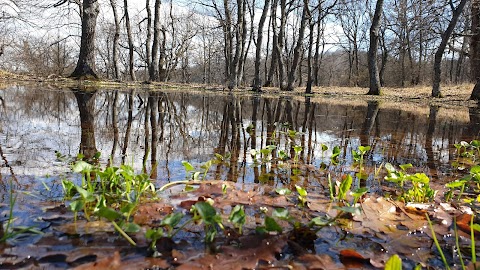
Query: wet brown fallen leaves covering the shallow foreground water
pixel 360 240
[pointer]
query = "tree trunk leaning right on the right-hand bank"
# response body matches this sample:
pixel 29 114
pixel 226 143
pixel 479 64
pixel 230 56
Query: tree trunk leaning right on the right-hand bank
pixel 437 65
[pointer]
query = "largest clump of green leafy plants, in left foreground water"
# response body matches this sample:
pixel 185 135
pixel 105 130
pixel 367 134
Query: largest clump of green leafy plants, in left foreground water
pixel 112 193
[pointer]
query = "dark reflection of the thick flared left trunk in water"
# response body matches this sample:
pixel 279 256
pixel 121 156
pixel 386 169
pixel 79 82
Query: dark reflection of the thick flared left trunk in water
pixel 86 107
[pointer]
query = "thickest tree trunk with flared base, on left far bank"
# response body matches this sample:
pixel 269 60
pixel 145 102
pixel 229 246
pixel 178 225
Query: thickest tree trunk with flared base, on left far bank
pixel 85 68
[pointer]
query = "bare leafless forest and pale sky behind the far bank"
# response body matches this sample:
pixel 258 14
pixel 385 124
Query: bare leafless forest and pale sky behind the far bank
pixel 242 43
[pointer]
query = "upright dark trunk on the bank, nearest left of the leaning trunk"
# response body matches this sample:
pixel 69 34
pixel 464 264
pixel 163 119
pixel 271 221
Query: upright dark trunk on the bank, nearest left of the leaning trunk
pixel 373 50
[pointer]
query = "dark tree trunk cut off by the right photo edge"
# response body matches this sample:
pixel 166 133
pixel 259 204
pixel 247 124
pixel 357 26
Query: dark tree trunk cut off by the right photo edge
pixel 475 49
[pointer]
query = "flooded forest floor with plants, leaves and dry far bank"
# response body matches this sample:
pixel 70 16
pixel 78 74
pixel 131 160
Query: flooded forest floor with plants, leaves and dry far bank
pixel 194 177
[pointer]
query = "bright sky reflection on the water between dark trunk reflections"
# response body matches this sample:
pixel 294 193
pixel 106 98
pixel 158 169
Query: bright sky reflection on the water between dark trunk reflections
pixel 38 122
